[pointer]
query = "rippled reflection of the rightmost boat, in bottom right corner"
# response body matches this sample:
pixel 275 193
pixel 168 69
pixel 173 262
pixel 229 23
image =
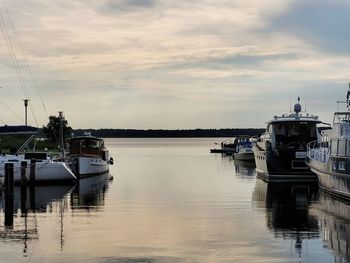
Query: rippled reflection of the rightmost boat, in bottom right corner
pixel 334 221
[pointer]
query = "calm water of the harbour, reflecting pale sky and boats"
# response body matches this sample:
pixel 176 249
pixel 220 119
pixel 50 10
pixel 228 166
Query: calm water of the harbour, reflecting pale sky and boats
pixel 173 201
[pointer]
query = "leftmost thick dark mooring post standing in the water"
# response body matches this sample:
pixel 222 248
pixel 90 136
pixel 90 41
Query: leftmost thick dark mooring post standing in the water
pixel 9 202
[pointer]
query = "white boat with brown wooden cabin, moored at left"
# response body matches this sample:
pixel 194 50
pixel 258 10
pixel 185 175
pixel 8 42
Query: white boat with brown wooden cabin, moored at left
pixel 87 156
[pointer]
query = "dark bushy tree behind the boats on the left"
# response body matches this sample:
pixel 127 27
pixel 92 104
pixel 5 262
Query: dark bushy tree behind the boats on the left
pixel 52 129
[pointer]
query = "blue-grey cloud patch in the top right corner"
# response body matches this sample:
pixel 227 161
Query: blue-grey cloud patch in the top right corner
pixel 324 24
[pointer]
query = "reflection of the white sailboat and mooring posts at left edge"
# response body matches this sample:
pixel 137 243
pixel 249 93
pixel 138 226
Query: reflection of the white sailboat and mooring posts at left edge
pixel 22 208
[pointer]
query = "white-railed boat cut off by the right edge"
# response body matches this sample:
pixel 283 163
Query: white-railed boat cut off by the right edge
pixel 330 158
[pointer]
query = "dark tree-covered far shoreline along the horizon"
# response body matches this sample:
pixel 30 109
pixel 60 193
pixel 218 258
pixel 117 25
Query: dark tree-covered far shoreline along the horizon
pixel 160 133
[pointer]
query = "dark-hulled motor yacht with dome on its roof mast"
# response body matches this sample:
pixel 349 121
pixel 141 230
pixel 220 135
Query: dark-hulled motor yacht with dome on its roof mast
pixel 280 152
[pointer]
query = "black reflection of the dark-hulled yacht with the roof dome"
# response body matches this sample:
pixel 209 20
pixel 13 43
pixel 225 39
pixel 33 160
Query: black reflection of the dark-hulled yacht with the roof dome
pixel 287 210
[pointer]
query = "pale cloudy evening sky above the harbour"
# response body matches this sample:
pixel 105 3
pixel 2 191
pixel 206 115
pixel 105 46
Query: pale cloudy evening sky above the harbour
pixel 163 64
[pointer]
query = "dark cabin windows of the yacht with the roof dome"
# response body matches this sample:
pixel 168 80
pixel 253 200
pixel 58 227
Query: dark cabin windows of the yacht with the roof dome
pixel 294 134
